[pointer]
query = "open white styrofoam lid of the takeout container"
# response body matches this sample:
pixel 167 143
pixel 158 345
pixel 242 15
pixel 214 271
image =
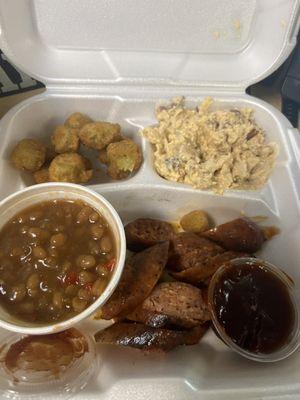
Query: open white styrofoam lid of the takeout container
pixel 231 43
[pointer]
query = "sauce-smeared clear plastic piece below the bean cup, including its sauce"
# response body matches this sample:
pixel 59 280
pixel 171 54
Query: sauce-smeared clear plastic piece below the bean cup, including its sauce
pixel 39 367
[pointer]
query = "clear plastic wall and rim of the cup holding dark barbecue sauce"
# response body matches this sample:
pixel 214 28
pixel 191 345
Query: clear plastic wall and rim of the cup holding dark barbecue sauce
pixel 293 341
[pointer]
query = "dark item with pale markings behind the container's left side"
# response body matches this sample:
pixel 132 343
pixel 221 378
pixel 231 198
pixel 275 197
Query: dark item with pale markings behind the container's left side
pixel 12 80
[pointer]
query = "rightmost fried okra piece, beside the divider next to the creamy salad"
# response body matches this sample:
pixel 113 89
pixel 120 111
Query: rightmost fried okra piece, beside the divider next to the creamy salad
pixel 124 157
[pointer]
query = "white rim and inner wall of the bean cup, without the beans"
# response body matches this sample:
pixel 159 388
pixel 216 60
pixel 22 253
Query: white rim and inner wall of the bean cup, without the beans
pixel 35 194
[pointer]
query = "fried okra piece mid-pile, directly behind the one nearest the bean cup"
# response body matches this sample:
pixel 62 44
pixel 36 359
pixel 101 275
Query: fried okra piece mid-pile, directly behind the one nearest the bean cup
pixel 65 139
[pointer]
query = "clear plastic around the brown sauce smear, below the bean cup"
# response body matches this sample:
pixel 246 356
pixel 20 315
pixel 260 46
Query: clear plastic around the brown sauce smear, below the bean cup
pixel 26 384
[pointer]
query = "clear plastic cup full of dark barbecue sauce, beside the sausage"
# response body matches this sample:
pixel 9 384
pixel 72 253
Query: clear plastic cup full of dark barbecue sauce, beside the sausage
pixel 254 309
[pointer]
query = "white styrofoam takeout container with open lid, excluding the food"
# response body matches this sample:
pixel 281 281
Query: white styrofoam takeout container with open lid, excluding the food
pixel 114 60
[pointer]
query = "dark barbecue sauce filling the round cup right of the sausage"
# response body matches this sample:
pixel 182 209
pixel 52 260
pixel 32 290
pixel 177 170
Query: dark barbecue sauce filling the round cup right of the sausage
pixel 254 307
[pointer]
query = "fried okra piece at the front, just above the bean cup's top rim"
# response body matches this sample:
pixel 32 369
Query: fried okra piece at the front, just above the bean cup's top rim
pixel 70 167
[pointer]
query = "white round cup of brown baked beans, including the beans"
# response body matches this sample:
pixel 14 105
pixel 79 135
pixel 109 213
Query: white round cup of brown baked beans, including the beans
pixel 51 278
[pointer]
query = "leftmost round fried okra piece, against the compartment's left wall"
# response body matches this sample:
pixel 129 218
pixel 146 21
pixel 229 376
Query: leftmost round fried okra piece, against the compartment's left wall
pixel 29 155
